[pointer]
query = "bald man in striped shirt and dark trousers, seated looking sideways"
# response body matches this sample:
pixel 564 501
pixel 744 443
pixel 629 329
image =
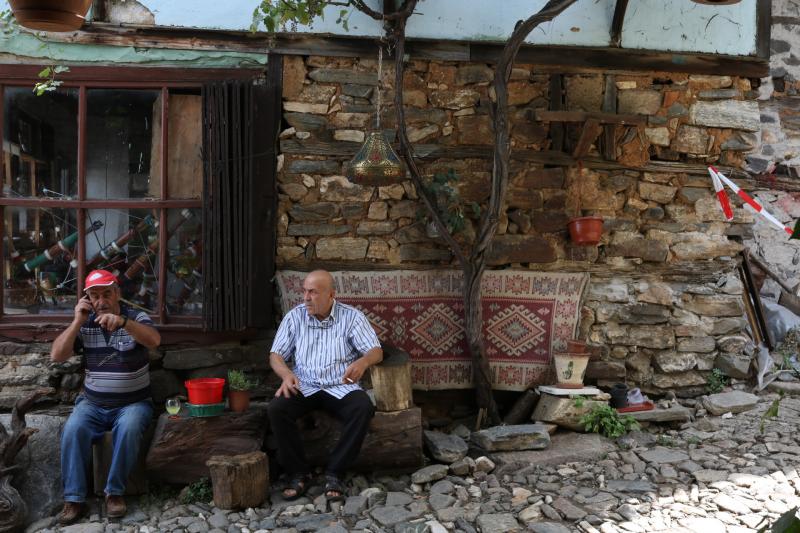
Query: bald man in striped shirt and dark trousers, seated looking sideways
pixel 332 345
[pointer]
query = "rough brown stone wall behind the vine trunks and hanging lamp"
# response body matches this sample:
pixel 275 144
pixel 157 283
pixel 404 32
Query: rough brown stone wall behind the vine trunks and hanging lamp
pixel 664 303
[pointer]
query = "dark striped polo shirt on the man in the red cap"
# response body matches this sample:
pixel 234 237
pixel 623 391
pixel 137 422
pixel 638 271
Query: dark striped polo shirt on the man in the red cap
pixel 117 367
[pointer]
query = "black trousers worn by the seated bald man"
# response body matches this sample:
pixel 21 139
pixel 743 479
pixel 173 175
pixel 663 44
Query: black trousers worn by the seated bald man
pixel 354 411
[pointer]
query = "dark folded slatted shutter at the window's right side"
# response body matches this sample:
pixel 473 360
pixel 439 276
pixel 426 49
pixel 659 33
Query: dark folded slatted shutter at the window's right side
pixel 241 122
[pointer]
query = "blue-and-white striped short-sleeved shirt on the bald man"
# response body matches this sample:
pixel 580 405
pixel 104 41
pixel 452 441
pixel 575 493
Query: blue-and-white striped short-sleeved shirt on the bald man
pixel 323 350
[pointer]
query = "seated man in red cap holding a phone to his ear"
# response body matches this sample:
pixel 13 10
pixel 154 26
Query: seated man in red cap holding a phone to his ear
pixel 114 340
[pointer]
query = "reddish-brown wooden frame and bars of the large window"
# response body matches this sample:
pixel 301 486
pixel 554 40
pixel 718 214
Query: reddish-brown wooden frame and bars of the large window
pixel 45 327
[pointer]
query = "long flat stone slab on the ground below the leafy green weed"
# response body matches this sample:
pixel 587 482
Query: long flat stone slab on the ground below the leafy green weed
pixel 564 447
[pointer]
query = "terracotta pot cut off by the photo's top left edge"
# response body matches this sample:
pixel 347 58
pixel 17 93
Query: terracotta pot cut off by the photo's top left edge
pixel 50 15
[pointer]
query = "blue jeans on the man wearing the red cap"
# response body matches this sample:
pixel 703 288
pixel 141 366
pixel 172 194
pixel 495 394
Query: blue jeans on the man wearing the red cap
pixel 87 423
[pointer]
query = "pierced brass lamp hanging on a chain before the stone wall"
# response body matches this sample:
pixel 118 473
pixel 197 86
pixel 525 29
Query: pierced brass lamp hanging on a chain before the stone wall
pixel 376 163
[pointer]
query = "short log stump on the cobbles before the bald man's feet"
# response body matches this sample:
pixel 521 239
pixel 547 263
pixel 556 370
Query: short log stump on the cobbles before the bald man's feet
pixel 239 481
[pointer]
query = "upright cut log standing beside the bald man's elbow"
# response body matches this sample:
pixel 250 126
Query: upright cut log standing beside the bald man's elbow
pixel 391 381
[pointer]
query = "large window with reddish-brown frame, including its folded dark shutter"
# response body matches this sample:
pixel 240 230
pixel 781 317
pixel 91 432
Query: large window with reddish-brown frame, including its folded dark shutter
pixel 167 186
